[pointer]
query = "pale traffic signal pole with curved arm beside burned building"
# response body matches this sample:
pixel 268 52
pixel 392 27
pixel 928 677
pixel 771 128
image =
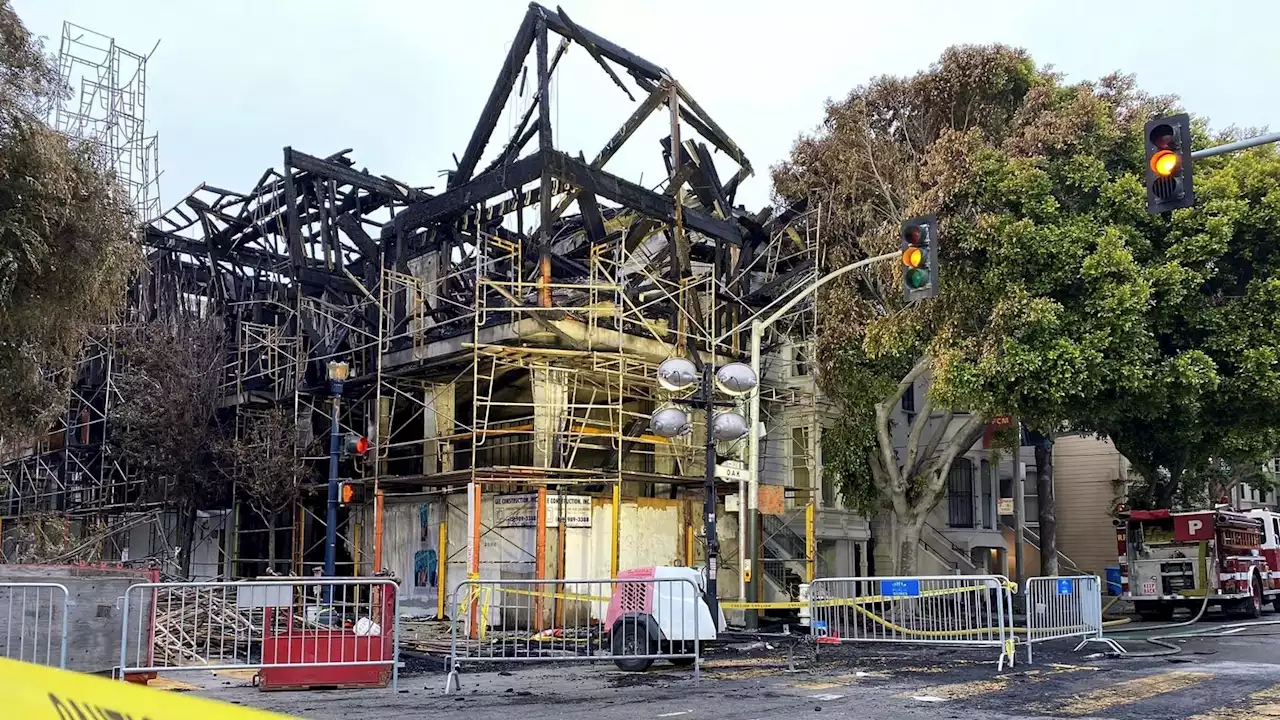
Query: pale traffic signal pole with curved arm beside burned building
pixel 753 494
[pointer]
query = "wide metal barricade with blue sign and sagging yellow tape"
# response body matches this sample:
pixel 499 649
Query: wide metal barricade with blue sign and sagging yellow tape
pixel 954 610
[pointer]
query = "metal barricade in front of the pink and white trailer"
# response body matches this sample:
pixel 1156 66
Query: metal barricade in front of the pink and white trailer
pixel 630 622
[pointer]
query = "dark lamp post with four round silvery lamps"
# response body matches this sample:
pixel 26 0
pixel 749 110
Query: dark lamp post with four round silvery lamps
pixel 679 375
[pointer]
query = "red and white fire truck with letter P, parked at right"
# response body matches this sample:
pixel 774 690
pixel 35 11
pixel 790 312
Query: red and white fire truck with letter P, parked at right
pixel 1171 560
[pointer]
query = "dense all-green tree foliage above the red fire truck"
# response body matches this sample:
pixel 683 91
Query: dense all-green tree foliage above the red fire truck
pixel 1215 277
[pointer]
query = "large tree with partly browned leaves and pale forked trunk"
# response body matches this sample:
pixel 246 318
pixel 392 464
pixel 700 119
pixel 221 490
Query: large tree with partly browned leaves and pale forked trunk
pixel 1057 284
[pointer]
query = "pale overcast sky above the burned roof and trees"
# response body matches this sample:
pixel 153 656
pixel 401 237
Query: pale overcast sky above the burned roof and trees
pixel 403 81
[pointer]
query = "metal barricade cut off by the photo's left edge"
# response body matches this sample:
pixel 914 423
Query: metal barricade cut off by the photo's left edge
pixel 35 623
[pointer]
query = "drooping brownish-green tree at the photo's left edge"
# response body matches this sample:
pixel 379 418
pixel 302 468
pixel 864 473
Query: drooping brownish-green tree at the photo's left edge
pixel 67 247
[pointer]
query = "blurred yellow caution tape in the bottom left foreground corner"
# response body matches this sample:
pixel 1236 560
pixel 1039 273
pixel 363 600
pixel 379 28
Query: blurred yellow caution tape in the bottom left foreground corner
pixel 35 692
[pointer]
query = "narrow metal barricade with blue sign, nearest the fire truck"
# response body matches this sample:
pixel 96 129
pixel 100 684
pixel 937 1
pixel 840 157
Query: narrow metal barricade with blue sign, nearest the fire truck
pixel 1064 608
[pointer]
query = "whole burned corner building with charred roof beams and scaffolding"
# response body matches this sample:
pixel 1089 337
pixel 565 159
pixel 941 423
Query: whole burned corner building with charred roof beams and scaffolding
pixel 501 339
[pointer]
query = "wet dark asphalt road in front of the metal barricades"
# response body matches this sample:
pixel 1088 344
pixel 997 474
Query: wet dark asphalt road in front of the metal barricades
pixel 1232 678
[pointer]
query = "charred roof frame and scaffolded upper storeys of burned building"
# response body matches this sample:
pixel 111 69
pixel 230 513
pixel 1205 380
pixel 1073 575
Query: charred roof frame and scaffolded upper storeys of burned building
pixel 501 334
